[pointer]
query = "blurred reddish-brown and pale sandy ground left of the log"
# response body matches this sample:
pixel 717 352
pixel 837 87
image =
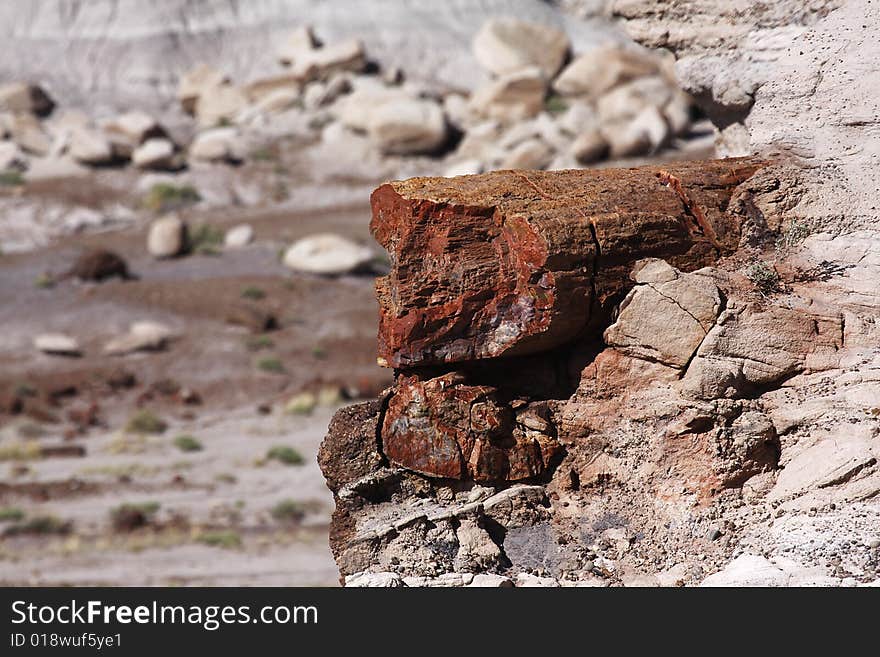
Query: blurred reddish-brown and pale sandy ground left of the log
pixel 213 522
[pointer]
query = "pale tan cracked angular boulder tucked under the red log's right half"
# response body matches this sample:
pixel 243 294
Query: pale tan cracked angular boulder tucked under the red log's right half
pixel 666 317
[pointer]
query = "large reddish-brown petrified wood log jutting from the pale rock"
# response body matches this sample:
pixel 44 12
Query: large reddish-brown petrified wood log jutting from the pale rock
pixel 513 262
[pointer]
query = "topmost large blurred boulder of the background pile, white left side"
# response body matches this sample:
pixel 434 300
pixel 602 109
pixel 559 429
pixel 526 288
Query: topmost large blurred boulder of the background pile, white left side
pixel 506 45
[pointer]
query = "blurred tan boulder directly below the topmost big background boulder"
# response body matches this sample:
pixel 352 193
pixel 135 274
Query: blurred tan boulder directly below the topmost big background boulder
pixel 512 97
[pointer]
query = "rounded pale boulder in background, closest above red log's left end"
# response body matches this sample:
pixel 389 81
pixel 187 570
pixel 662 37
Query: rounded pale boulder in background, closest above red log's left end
pixel 407 127
